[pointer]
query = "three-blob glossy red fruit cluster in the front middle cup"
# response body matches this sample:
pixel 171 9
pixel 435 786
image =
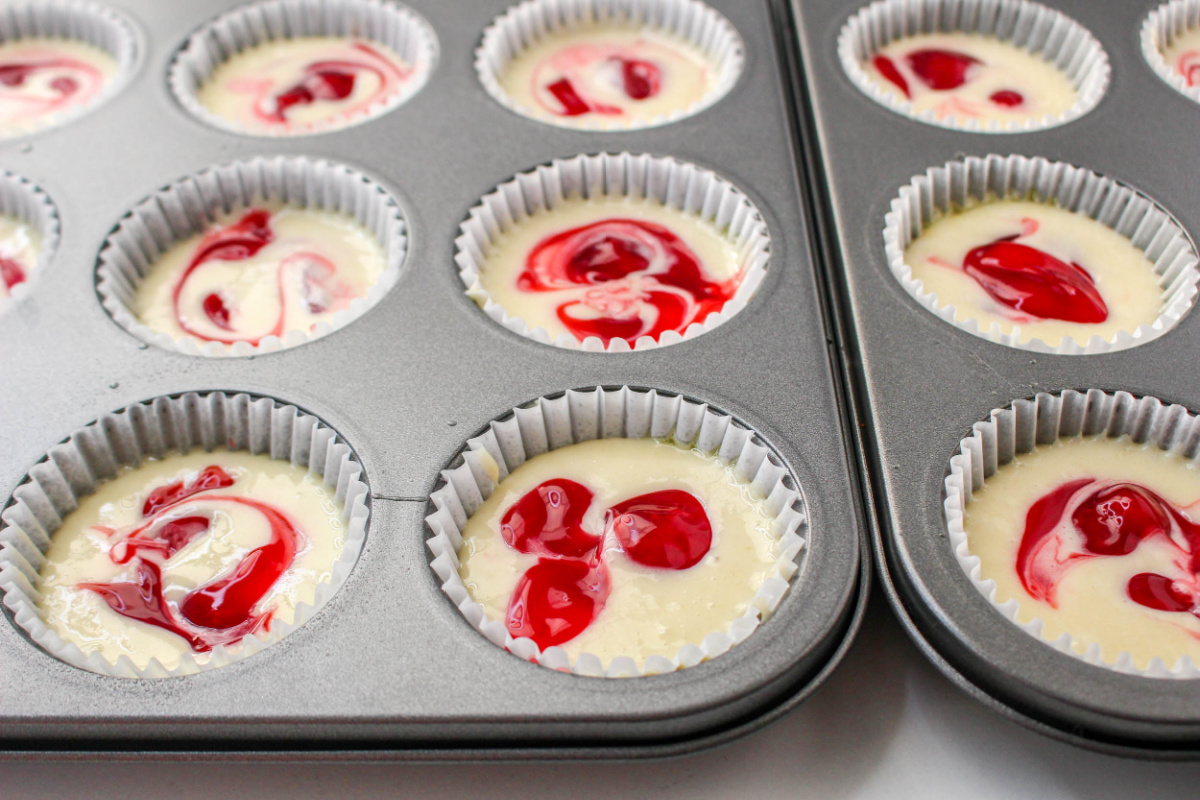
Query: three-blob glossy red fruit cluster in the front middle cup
pixel 560 597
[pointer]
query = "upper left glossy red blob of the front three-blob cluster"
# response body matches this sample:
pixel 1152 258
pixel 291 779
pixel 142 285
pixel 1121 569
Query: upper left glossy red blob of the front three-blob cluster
pixel 547 521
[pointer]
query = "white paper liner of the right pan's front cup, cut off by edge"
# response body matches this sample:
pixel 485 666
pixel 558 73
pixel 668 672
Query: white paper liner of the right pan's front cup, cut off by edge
pixel 1022 429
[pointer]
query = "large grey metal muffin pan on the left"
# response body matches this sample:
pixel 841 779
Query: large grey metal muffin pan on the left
pixel 389 669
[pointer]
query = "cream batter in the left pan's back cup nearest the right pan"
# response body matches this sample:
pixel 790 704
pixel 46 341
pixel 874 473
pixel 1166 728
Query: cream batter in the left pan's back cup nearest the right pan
pixel 590 58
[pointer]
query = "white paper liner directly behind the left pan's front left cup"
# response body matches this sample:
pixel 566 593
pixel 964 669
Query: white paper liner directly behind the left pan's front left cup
pixel 189 206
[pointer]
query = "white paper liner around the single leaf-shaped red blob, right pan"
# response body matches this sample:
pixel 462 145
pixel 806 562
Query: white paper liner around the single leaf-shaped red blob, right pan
pixel 962 184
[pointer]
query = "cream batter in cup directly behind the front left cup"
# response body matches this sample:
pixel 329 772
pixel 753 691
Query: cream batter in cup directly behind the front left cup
pixel 316 264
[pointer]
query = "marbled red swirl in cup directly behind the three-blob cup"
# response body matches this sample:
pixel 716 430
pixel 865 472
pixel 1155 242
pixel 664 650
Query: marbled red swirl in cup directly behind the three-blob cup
pixel 649 281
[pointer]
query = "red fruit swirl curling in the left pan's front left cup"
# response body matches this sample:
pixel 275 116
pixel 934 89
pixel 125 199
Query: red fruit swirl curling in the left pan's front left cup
pixel 220 612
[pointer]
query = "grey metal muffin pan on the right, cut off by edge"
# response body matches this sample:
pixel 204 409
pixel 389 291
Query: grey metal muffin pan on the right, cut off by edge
pixel 921 383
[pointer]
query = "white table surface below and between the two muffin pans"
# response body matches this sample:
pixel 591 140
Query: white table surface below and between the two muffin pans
pixel 886 725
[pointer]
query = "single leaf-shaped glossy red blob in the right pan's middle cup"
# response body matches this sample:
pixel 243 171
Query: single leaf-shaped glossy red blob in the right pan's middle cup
pixel 1035 282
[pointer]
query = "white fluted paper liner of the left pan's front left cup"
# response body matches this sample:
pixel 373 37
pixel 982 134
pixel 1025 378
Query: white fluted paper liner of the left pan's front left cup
pixel 158 429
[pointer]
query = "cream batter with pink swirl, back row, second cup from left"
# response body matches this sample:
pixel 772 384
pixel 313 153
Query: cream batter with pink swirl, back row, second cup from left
pixel 244 91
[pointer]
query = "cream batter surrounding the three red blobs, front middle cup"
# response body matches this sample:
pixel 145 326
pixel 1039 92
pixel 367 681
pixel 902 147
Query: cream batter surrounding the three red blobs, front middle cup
pixel 650 611
